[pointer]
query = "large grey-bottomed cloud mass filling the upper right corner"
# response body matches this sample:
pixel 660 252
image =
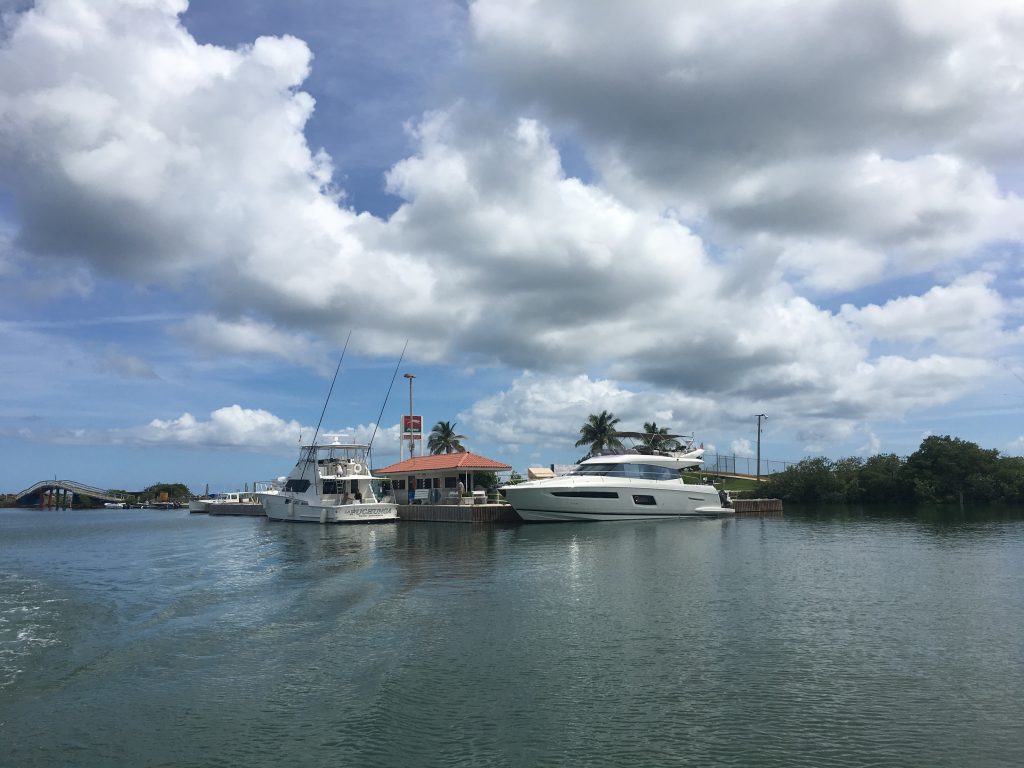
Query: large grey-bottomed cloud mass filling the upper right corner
pixel 860 130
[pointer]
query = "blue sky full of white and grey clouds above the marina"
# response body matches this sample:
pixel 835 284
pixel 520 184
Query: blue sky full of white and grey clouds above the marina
pixel 677 211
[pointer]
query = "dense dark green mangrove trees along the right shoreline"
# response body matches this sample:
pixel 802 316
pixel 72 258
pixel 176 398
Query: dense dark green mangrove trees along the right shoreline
pixel 945 470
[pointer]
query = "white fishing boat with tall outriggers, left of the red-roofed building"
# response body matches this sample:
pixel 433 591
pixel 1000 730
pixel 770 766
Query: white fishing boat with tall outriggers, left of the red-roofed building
pixel 331 483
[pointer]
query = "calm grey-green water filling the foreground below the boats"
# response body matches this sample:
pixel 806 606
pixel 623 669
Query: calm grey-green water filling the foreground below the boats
pixel 158 638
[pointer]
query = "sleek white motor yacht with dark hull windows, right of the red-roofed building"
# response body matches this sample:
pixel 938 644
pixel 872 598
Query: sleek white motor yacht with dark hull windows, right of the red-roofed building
pixel 632 485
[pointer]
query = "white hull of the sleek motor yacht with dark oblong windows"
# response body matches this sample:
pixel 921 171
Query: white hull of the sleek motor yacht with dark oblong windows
pixel 563 500
